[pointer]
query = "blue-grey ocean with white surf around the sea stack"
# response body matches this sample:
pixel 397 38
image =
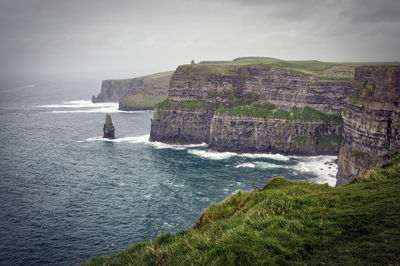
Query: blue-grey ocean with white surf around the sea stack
pixel 66 194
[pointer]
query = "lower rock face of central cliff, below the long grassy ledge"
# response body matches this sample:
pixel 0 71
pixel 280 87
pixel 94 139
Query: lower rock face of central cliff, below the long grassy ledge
pixel 253 134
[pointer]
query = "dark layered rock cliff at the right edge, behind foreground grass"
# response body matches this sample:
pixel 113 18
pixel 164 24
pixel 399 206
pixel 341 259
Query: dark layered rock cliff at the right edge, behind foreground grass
pixel 371 121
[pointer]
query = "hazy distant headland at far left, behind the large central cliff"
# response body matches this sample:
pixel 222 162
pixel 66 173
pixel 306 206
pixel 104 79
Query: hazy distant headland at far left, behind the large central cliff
pixel 136 93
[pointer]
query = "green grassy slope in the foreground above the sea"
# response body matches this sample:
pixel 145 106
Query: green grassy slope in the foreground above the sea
pixel 288 222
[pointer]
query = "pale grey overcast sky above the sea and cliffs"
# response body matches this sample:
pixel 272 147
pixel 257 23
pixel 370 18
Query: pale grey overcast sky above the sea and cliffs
pixel 128 38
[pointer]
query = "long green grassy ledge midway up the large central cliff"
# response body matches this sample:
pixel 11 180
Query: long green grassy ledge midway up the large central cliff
pixel 269 111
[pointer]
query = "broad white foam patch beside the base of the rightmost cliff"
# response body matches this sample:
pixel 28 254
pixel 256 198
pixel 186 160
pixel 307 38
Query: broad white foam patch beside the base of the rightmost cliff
pixel 322 166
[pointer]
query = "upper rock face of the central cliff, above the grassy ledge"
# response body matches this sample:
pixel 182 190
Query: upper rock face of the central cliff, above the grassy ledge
pixel 259 83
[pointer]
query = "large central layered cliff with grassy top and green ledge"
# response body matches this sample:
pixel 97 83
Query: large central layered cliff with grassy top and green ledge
pixel 254 107
